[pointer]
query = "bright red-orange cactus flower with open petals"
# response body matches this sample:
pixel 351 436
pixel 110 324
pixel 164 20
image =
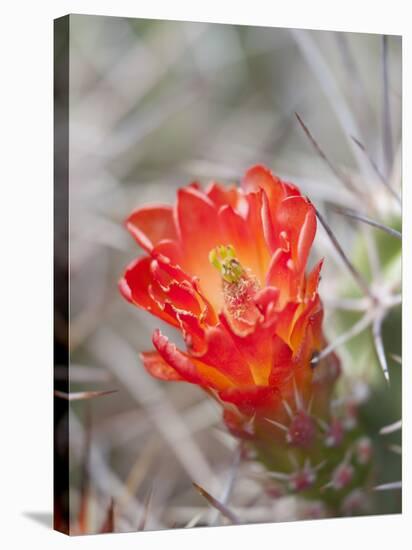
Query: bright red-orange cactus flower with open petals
pixel 226 267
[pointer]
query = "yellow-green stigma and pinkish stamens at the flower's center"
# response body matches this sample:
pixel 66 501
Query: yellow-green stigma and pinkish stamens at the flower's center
pixel 239 285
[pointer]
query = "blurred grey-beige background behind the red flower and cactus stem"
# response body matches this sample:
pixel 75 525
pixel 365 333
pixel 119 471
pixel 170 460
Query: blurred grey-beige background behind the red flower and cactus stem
pixel 153 106
